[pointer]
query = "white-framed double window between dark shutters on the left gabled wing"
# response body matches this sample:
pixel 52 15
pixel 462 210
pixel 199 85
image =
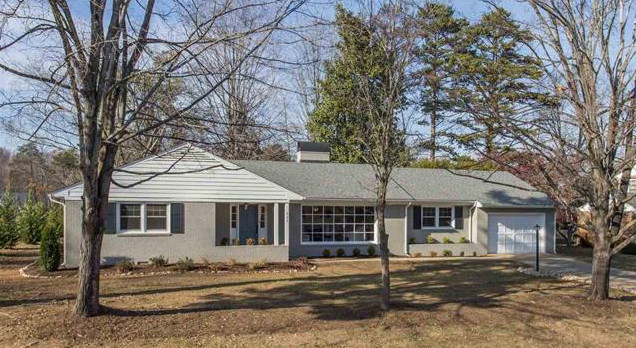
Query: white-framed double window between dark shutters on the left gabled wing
pixel 142 217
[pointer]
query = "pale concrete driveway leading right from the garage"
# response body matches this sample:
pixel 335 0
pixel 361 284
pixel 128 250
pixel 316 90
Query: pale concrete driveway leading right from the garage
pixel 565 265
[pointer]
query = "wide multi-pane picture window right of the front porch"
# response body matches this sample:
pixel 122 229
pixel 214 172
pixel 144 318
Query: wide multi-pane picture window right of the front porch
pixel 338 224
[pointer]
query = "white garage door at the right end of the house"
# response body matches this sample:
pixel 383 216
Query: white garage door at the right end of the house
pixel 515 233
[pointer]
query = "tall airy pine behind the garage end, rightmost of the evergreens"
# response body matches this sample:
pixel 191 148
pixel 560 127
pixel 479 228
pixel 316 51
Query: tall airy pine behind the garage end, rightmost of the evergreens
pixel 497 80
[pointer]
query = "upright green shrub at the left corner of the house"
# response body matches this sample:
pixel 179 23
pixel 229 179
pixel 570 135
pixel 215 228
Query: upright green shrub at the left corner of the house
pixel 50 247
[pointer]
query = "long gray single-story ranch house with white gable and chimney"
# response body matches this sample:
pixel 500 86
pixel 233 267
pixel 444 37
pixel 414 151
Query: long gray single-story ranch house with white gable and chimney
pixel 301 208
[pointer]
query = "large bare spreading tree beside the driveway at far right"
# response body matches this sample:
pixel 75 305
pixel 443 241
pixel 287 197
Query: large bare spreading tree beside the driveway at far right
pixel 584 147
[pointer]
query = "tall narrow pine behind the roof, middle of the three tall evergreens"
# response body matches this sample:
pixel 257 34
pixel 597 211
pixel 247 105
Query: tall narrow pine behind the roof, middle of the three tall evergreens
pixel 439 32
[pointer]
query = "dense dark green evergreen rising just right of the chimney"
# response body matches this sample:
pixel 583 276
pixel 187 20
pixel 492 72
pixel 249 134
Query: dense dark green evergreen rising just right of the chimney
pixel 338 119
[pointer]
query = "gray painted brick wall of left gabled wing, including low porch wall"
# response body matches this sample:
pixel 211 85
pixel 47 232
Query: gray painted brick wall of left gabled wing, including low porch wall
pixel 197 242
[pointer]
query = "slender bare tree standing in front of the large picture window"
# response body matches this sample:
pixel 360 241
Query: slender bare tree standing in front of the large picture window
pixel 381 96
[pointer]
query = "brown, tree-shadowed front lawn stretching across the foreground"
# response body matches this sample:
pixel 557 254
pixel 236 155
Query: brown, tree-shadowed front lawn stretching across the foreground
pixel 463 302
